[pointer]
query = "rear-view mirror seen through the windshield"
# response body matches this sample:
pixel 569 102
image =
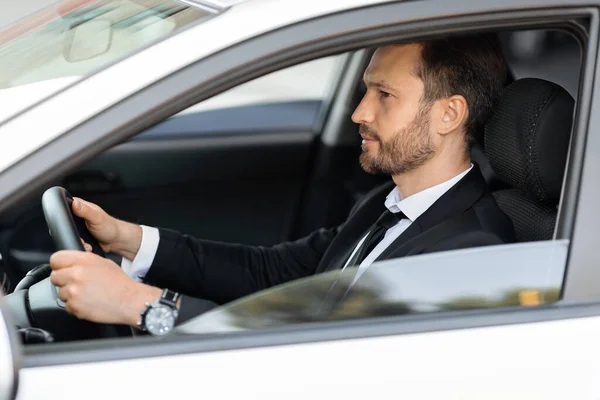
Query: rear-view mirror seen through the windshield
pixel 87 40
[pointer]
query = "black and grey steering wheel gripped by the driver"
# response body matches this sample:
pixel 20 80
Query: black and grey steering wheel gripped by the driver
pixel 35 301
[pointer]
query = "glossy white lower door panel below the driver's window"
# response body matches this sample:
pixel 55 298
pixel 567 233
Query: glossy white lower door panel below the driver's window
pixel 524 360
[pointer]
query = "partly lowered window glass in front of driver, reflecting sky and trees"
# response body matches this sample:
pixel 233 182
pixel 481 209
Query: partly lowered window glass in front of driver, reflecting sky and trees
pixel 524 274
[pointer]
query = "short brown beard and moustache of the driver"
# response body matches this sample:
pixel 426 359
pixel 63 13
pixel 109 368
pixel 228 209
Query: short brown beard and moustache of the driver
pixel 408 149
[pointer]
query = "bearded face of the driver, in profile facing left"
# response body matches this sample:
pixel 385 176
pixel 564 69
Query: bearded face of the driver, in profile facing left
pixel 394 124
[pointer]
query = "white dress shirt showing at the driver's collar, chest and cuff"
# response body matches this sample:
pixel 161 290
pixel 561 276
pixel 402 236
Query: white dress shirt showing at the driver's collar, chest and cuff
pixel 412 207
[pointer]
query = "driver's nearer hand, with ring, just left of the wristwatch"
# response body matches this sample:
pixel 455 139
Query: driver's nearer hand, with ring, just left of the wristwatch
pixel 96 289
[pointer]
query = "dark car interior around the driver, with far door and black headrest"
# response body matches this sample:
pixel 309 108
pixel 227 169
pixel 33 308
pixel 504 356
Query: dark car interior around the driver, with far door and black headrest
pixel 262 173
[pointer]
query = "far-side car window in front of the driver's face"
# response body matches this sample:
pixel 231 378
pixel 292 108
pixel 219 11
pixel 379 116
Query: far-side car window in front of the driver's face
pixel 287 100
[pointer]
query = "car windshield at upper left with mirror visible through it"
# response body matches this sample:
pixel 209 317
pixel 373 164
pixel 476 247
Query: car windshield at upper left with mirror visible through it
pixel 59 45
